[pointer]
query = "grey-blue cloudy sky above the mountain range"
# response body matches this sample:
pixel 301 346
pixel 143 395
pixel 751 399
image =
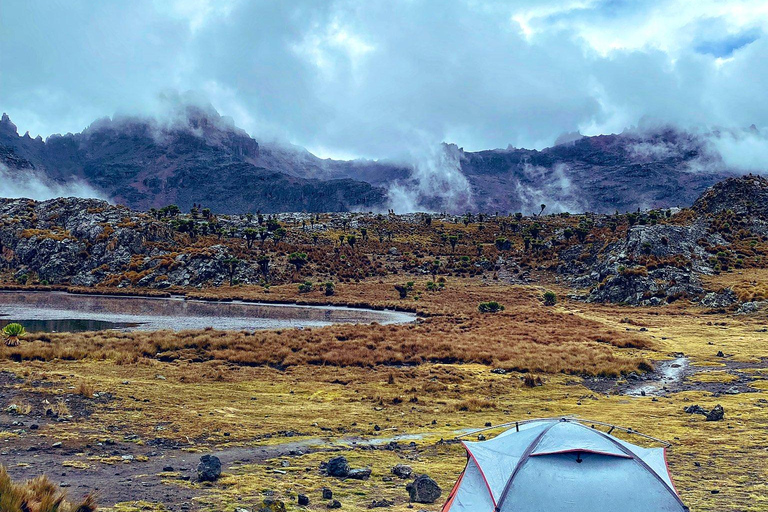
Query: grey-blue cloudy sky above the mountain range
pixel 372 78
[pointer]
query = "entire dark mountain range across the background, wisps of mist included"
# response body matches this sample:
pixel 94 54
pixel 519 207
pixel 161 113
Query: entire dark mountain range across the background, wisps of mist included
pixel 202 157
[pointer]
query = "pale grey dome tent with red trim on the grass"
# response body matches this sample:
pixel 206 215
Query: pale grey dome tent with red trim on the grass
pixel 559 465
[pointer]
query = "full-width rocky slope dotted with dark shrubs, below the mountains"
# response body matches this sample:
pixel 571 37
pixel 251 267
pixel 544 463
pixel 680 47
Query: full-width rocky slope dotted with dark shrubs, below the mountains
pixel 652 257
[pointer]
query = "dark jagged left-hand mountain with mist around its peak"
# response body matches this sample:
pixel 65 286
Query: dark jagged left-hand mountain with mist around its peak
pixel 201 159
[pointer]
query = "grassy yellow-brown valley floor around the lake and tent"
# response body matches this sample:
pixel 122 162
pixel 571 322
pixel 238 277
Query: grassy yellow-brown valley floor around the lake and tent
pixel 134 412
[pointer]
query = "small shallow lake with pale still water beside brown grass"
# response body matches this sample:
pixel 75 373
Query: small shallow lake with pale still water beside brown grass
pixel 65 312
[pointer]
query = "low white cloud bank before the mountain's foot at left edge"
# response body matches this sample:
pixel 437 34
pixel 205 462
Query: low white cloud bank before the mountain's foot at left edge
pixel 28 184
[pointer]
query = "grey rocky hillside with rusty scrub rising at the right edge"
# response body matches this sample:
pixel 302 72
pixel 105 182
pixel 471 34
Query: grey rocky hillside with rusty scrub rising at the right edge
pixel 658 263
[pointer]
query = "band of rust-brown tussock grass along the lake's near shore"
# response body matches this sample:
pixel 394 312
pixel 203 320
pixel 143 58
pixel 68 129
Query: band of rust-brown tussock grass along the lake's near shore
pixel 525 337
